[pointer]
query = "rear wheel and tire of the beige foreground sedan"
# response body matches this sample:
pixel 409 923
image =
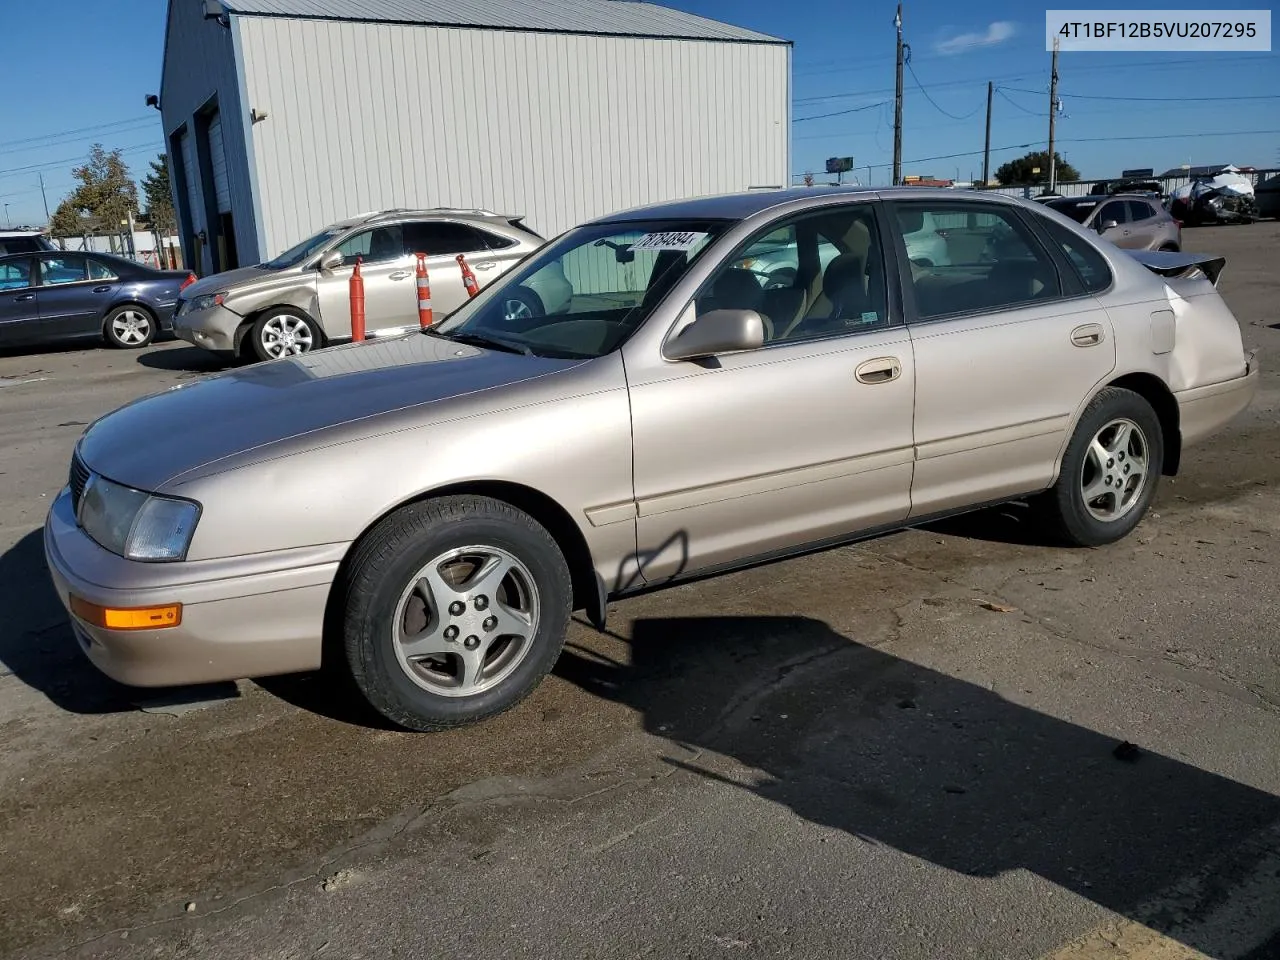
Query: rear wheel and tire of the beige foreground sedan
pixel 1110 472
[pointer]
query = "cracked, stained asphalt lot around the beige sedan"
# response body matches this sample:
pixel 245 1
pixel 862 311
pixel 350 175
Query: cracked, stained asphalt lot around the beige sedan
pixel 902 749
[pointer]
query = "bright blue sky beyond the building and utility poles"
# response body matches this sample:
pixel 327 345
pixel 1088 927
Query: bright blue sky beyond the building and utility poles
pixel 104 66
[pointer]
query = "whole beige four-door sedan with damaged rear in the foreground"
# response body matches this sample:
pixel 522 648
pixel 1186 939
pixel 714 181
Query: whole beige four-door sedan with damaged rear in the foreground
pixel 424 513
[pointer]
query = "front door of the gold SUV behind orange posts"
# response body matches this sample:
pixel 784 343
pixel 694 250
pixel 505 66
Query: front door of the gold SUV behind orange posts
pixel 391 298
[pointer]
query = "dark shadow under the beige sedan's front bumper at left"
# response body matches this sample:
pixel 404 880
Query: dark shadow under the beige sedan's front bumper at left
pixel 39 648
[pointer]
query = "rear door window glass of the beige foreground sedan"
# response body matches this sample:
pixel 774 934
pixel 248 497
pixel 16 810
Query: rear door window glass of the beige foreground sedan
pixel 981 259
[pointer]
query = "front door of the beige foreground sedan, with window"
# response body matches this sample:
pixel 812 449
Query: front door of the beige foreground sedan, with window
pixel 804 440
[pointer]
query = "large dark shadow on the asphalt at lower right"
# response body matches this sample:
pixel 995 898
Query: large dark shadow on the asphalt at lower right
pixel 893 753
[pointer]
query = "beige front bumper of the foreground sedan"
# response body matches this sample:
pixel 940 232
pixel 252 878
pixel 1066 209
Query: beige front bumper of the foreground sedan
pixel 259 623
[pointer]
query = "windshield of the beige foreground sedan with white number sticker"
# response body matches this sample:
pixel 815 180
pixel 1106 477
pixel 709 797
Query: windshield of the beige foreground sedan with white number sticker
pixel 584 294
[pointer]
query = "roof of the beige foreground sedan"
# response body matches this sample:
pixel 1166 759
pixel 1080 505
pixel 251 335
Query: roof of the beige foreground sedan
pixel 739 207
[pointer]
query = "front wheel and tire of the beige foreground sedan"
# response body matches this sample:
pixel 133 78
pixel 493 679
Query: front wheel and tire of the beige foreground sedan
pixel 455 610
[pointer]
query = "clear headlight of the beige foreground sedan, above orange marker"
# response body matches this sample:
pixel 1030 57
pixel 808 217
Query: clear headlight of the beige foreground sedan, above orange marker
pixel 138 525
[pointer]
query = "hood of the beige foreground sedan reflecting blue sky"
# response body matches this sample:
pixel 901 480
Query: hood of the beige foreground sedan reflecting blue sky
pixel 153 441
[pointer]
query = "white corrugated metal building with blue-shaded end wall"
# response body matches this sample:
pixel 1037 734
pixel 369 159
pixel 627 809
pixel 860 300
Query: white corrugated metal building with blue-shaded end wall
pixel 285 116
